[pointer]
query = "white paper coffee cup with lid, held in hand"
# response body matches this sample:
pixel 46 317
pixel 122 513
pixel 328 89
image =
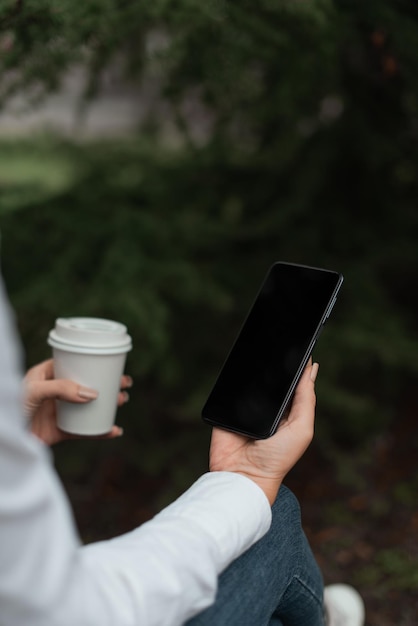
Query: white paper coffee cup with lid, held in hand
pixel 92 352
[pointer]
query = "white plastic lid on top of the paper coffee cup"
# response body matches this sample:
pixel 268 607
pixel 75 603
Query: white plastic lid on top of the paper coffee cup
pixel 89 335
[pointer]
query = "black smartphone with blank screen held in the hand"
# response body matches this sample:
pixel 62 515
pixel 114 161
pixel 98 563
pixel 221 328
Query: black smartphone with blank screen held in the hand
pixel 267 359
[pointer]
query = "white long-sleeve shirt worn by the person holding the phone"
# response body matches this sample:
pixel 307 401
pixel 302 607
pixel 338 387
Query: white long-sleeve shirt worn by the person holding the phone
pixel 160 574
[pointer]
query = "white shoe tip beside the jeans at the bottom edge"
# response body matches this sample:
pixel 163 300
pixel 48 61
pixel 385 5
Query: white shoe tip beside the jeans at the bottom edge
pixel 343 606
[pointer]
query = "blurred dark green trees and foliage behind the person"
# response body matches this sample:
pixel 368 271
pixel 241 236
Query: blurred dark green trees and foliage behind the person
pixel 275 130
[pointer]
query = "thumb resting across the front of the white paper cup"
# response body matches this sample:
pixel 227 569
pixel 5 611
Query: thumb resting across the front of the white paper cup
pixel 58 389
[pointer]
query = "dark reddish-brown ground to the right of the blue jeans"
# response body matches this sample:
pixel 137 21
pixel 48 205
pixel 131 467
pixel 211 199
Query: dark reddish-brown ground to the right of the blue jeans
pixel 362 521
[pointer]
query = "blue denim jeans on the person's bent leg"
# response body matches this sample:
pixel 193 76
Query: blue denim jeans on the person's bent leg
pixel 277 582
